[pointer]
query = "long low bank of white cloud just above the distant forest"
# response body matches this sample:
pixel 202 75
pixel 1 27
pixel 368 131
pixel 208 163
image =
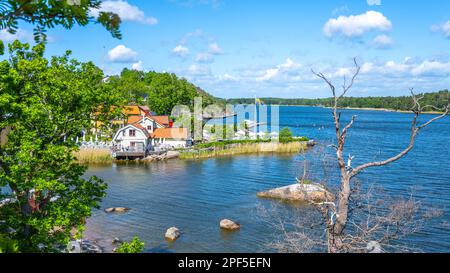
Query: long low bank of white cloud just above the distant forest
pixel 291 79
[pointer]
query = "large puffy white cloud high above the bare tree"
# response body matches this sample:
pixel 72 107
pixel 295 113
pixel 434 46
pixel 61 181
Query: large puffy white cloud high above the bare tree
pixel 357 25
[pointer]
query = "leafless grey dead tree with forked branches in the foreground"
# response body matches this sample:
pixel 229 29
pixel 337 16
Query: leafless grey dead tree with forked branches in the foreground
pixel 336 214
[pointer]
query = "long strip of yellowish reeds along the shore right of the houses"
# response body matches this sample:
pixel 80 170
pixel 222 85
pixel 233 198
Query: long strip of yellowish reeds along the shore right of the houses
pixel 229 148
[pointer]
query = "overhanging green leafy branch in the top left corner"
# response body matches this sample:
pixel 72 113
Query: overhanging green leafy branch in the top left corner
pixel 46 14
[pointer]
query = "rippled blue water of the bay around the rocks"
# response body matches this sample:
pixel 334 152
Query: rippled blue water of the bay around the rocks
pixel 195 195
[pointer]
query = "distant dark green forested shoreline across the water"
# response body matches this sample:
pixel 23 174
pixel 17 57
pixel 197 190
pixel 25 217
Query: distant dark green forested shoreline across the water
pixel 438 99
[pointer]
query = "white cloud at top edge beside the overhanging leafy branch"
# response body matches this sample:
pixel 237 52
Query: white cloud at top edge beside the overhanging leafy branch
pixel 125 11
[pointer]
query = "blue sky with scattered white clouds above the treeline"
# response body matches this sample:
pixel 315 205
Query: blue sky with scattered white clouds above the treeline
pixel 237 48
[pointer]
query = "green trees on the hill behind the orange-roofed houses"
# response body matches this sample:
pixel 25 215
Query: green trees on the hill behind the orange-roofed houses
pixel 160 91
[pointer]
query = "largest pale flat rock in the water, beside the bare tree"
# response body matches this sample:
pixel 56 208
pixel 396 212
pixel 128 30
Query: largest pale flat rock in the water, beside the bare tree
pixel 299 192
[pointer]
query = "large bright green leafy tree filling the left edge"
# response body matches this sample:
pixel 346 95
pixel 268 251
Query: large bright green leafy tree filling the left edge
pixel 46 104
